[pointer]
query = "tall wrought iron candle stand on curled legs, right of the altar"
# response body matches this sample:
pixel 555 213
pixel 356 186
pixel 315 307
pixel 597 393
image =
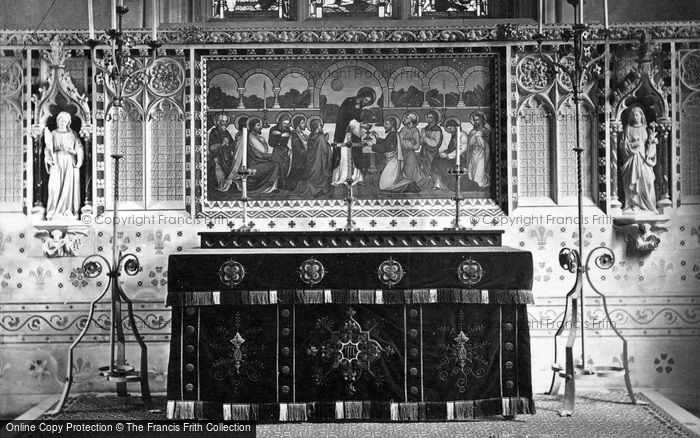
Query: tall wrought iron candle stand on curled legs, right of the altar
pixel 570 259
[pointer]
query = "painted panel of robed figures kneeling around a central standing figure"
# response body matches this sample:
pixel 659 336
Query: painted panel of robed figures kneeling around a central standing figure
pixel 392 126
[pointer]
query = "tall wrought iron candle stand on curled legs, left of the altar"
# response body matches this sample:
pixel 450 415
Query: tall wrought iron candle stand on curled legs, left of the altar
pixel 121 71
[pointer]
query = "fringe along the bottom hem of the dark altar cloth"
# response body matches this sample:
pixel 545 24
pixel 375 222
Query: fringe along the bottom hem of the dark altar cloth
pixel 351 410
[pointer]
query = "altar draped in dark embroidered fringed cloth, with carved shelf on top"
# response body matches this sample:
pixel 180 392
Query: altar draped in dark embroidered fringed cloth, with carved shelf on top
pixel 373 326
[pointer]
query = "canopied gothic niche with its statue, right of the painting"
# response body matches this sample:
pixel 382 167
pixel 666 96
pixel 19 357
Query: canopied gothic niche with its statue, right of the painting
pixel 641 127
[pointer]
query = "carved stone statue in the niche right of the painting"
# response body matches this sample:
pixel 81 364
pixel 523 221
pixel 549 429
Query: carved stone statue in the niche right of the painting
pixel 638 157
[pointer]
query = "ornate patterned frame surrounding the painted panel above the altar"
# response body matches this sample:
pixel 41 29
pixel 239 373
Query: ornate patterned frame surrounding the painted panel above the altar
pixel 492 207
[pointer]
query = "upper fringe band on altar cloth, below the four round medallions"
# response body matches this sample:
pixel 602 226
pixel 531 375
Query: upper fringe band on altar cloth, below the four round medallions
pixel 350 296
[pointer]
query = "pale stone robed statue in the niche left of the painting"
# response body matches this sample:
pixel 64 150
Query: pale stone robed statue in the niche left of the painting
pixel 63 157
